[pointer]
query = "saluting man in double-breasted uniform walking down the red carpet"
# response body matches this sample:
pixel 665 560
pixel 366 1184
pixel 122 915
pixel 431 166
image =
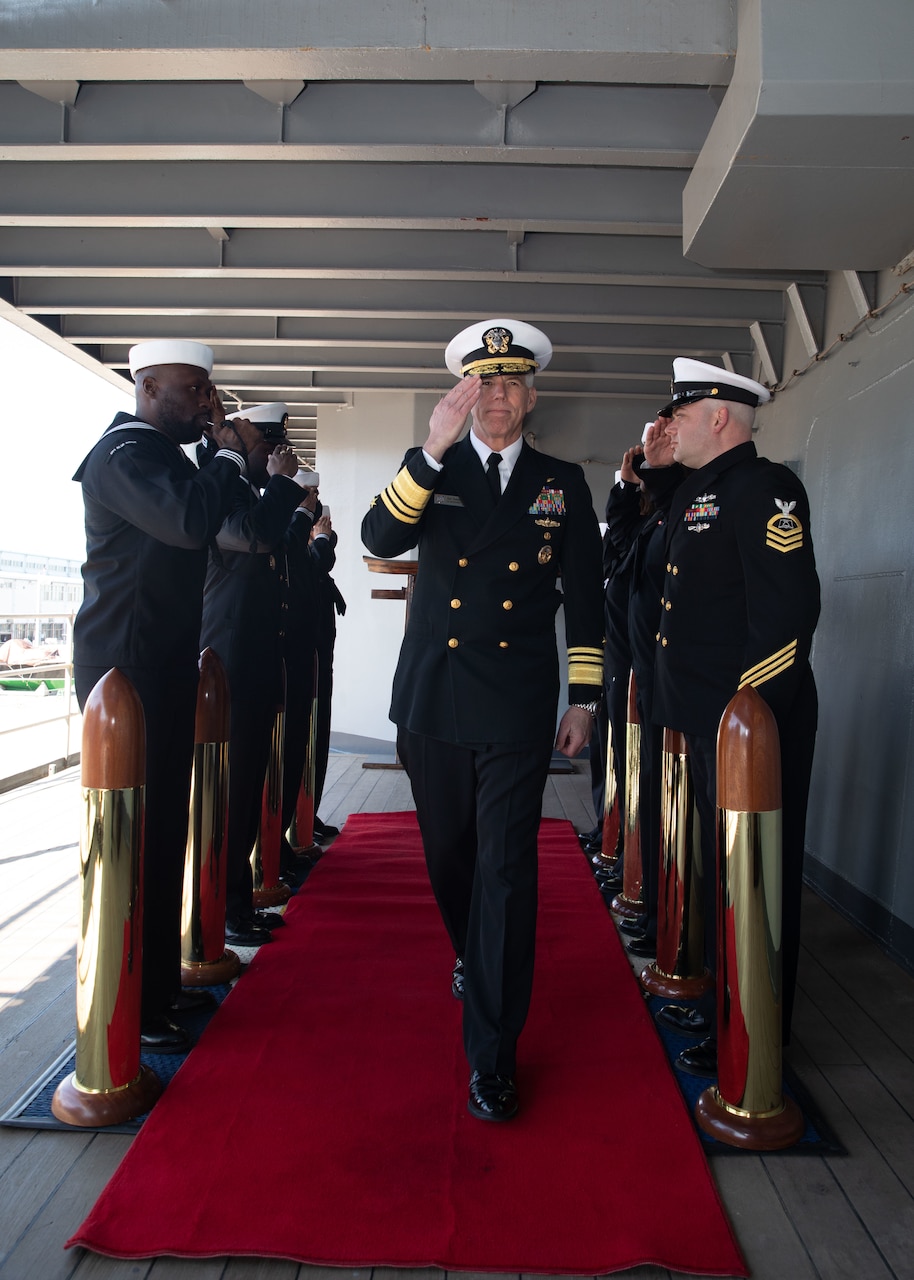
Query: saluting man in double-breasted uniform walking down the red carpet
pixel 476 693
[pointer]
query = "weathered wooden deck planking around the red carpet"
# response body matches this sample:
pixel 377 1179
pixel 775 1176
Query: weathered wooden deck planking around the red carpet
pixel 796 1217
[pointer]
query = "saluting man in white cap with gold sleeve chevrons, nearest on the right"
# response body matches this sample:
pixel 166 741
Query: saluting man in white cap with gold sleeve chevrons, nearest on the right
pixel 741 606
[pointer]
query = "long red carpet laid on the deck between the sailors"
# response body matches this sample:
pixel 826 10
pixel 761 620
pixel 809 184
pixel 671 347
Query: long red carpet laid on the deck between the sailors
pixel 323 1116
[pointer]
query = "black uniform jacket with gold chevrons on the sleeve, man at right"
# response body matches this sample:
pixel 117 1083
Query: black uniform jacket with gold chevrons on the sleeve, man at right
pixel 742 596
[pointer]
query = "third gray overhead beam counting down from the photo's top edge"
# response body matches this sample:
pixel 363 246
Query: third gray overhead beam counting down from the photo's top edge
pixel 218 193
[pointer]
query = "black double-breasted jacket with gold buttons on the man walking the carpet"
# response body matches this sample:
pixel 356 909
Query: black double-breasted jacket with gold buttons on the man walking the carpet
pixel 479 661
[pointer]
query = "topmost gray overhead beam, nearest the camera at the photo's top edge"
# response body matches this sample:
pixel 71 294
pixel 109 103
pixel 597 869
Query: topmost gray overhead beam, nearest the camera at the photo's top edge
pixel 628 42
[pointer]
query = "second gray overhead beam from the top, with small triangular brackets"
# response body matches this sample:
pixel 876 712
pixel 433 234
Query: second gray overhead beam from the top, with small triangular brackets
pixel 408 121
